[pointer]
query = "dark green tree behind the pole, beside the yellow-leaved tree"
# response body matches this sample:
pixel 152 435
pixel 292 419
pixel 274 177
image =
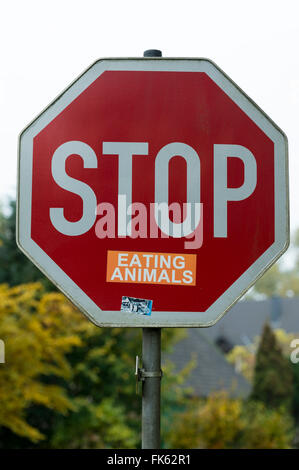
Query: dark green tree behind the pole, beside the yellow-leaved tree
pixel 103 384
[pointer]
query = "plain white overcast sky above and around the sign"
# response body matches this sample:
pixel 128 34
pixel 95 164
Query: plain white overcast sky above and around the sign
pixel 46 44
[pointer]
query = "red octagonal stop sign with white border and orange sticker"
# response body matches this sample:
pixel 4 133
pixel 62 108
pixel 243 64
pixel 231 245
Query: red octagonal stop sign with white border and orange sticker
pixel 156 179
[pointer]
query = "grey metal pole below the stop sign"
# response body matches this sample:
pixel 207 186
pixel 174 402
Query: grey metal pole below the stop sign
pixel 151 388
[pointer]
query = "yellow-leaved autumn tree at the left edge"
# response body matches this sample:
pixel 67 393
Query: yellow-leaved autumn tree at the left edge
pixel 35 346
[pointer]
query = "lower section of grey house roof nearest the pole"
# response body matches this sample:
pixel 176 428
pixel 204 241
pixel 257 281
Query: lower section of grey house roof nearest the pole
pixel 212 371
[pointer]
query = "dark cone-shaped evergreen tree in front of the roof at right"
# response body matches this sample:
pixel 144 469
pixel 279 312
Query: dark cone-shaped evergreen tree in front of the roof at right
pixel 273 376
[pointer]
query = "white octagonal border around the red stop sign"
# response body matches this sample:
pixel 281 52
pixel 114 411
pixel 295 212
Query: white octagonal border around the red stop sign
pixel 157 319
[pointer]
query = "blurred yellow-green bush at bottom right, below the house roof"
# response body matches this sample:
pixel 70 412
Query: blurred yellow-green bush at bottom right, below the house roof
pixel 220 422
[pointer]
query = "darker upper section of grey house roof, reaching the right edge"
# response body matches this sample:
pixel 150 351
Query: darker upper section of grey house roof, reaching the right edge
pixel 246 319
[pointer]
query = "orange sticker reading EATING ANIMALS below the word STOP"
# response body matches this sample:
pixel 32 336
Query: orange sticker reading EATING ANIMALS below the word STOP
pixel 151 268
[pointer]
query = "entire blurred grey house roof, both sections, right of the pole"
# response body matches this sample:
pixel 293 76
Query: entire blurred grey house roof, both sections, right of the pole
pixel 241 325
